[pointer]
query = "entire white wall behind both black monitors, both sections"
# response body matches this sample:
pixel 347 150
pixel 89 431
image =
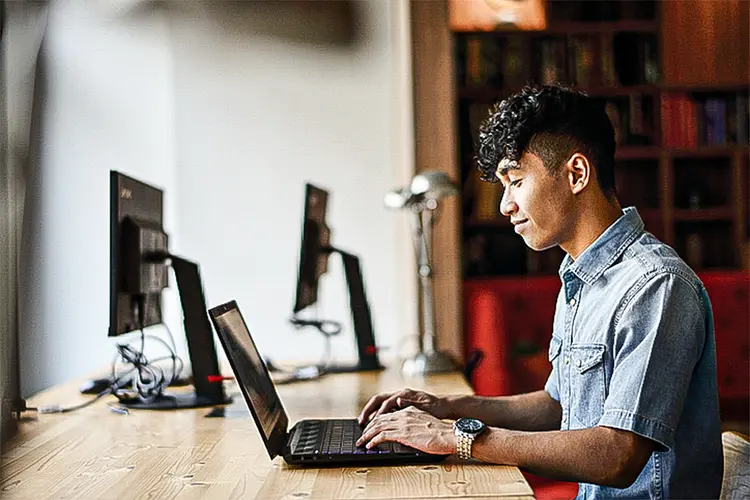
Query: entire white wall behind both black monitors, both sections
pixel 230 115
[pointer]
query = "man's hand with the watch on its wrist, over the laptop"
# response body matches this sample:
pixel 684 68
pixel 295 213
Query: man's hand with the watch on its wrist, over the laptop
pixel 411 427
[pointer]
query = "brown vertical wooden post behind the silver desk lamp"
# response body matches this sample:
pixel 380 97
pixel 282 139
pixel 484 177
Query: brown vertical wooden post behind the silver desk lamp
pixel 435 139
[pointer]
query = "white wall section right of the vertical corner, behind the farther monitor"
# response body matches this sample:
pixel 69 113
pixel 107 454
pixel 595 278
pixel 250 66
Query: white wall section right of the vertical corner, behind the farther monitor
pixel 258 114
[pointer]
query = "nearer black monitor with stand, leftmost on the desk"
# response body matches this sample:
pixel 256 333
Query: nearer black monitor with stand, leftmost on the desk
pixel 139 264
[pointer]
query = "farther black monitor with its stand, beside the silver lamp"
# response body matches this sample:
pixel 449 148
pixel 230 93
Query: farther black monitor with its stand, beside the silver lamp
pixel 315 248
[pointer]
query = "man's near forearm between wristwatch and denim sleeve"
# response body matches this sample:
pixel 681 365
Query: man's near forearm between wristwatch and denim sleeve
pixel 599 455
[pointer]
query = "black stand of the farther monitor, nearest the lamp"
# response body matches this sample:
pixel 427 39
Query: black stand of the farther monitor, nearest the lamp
pixel 366 349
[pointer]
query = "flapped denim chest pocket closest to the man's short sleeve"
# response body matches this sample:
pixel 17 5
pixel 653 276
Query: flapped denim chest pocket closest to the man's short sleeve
pixel 587 384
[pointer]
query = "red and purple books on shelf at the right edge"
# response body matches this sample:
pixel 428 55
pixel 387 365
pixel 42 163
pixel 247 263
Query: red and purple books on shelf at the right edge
pixel 688 122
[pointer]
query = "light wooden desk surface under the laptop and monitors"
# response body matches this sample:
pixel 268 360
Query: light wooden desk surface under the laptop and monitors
pixel 96 453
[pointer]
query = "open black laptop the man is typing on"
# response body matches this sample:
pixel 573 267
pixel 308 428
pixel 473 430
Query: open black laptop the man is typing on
pixel 311 442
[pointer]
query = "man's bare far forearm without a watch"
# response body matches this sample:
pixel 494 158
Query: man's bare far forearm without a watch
pixel 534 411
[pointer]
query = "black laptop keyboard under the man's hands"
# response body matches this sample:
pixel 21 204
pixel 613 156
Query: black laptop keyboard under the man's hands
pixel 338 437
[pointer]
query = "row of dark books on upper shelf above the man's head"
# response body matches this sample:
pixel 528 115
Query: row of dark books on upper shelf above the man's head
pixel 584 60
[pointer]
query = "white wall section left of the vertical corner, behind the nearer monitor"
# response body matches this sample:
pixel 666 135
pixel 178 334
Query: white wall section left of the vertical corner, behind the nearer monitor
pixel 107 103
